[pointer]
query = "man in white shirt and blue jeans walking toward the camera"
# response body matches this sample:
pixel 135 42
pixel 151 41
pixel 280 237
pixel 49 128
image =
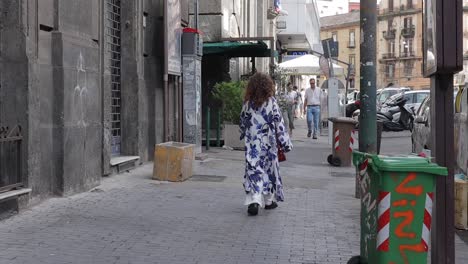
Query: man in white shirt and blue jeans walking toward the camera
pixel 312 108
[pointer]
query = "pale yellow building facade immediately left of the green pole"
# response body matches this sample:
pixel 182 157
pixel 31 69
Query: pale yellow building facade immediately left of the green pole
pixel 345 29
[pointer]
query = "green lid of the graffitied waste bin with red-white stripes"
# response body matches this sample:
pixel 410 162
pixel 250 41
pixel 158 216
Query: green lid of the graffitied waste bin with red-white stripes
pixel 409 163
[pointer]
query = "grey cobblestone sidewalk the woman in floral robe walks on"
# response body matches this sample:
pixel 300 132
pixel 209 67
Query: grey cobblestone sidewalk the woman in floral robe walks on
pixel 133 219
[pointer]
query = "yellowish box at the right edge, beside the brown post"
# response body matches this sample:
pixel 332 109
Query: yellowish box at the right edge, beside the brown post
pixel 461 204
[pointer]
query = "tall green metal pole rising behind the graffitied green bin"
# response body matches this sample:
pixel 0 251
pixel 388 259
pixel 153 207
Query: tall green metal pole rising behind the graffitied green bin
pixel 367 118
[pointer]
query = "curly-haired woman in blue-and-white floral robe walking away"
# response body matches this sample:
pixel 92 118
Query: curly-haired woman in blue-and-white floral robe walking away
pixel 264 132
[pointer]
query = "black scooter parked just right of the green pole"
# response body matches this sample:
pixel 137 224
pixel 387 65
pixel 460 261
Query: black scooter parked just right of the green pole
pixel 398 116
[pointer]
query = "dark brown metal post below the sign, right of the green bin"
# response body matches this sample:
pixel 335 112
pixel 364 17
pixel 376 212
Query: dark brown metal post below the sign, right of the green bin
pixel 443 245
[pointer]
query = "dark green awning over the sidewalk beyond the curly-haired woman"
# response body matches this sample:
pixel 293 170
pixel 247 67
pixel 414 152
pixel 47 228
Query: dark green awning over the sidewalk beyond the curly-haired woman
pixel 237 49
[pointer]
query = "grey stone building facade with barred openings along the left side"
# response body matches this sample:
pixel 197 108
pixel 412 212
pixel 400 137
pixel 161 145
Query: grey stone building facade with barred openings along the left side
pixel 82 89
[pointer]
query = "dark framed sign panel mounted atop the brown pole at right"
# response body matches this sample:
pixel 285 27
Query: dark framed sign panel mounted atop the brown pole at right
pixel 442 32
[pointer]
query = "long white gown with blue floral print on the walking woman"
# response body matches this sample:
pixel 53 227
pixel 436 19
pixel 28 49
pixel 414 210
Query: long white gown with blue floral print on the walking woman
pixel 261 127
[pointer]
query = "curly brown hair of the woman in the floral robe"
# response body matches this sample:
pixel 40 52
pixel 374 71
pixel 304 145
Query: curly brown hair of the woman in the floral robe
pixel 259 89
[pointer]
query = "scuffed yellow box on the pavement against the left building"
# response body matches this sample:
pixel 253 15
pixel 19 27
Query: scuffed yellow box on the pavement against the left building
pixel 173 161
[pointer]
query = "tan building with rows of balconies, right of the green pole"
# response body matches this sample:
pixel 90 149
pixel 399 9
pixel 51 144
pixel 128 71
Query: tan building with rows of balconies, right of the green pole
pixel 399 44
